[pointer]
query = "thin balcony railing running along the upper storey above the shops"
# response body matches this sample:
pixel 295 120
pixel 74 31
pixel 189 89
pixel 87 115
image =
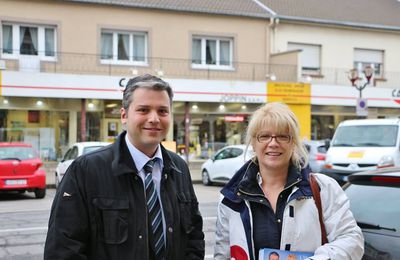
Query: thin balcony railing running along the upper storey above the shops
pixel 90 64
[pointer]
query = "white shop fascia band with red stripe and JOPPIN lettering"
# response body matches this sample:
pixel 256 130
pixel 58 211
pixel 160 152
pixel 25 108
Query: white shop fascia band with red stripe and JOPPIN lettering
pixel 107 87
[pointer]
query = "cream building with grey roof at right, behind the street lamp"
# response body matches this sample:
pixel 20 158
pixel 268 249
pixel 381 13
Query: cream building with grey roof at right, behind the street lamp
pixel 327 39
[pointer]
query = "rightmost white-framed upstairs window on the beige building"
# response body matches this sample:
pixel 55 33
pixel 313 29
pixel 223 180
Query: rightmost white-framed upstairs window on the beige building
pixel 212 53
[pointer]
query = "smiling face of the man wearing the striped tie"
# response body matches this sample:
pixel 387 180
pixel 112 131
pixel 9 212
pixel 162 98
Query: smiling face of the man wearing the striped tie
pixel 147 119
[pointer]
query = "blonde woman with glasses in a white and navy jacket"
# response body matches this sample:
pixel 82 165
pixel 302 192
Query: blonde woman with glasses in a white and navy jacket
pixel 268 204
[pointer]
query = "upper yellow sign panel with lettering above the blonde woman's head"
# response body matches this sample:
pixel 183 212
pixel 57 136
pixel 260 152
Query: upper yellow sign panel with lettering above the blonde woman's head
pixel 289 92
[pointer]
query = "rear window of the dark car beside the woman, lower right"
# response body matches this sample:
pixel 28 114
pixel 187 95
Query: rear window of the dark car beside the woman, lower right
pixel 375 207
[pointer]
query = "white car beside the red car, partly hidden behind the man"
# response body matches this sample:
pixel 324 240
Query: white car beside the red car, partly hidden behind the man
pixel 72 153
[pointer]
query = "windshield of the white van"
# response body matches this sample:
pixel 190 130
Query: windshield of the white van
pixel 366 135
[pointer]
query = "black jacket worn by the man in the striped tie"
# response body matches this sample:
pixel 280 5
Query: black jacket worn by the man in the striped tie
pixel 99 211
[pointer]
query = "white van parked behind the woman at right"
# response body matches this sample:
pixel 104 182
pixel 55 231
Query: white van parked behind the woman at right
pixel 360 145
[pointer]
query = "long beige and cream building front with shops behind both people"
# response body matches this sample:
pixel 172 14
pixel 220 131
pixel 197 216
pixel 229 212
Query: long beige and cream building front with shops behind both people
pixel 63 65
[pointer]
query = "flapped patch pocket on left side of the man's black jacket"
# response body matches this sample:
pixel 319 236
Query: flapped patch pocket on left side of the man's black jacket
pixel 113 213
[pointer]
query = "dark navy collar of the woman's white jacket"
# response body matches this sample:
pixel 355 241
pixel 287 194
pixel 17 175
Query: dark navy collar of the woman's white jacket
pixel 246 180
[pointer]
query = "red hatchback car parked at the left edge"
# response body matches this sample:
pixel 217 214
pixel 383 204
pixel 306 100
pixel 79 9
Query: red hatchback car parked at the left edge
pixel 20 169
